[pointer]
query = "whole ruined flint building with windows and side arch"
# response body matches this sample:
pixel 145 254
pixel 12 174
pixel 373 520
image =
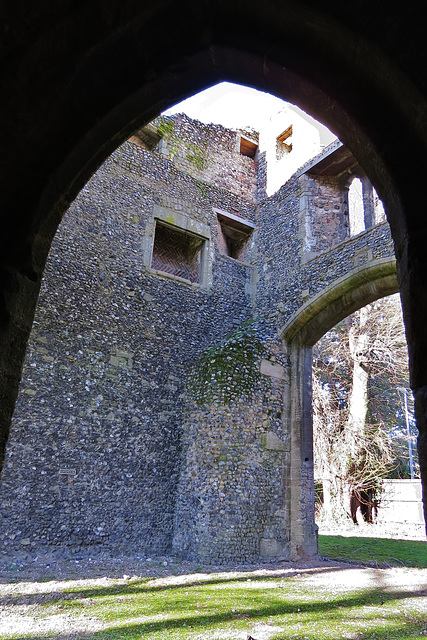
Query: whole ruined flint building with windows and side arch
pixel 165 401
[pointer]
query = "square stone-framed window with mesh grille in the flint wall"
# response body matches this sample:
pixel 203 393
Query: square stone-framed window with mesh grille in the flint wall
pixel 177 252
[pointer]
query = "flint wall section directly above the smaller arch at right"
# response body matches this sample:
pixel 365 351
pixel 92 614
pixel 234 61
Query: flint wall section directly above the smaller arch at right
pixel 287 273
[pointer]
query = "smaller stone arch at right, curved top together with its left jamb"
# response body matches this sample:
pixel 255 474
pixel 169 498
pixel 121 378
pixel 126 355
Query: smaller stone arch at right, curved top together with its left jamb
pixel 301 332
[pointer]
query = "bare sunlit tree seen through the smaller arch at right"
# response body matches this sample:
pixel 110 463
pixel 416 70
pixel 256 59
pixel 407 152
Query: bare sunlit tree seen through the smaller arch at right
pixel 358 370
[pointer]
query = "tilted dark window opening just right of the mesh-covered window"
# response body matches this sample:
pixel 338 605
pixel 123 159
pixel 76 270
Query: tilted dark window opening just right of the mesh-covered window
pixel 233 236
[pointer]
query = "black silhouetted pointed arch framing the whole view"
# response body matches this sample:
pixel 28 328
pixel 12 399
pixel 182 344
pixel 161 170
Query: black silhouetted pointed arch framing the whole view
pixel 78 78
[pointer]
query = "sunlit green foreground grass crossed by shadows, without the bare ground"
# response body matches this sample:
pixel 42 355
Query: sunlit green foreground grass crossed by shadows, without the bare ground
pixel 232 608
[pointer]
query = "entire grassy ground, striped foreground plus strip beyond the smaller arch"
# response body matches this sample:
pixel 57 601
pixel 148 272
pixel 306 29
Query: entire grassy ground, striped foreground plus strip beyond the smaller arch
pixel 321 602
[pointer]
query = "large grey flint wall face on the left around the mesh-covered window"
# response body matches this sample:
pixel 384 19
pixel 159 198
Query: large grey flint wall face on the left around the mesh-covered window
pixel 95 451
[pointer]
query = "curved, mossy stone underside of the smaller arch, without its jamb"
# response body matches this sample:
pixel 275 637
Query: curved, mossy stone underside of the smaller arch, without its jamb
pixel 340 299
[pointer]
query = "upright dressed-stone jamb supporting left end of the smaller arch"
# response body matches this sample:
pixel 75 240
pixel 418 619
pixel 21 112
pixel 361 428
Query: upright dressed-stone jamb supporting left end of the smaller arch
pixel 303 530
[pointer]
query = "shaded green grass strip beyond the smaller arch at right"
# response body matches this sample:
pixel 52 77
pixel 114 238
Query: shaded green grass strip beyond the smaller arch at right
pixel 378 551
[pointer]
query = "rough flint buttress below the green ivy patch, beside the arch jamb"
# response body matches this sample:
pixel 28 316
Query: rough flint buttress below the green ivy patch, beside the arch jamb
pixel 229 505
